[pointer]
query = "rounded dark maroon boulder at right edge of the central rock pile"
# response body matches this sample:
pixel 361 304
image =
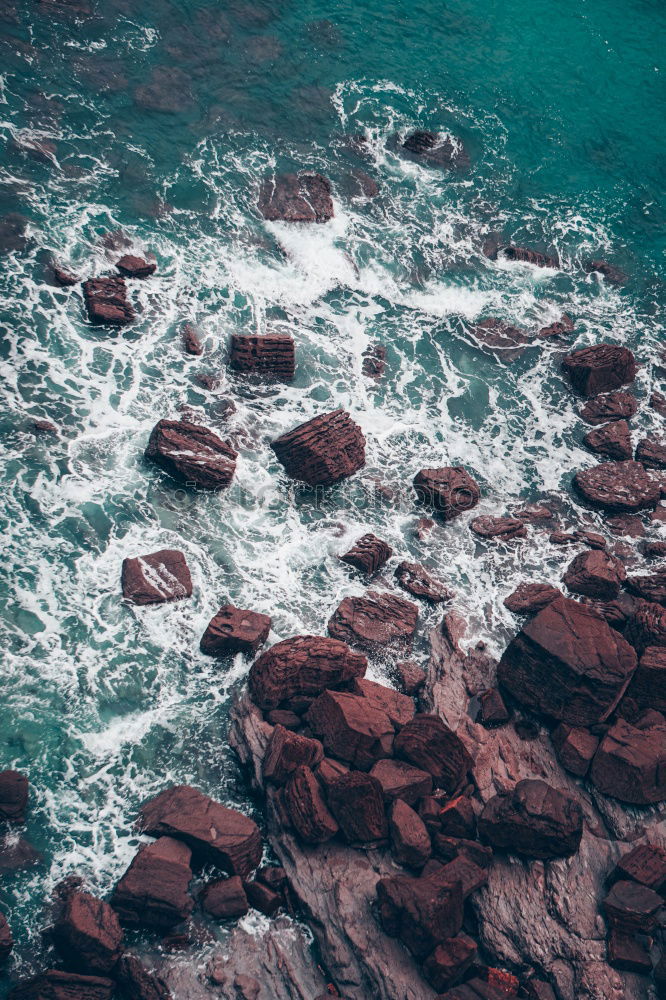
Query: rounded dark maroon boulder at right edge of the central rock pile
pixel 430 745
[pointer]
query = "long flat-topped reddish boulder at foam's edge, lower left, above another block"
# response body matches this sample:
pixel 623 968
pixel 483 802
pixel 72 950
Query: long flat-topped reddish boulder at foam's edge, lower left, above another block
pixel 217 835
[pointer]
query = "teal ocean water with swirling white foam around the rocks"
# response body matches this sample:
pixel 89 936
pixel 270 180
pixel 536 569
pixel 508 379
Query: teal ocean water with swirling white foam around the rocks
pixel 561 107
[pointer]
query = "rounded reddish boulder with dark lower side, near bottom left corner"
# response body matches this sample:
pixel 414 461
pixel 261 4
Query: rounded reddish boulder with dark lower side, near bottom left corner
pixel 88 936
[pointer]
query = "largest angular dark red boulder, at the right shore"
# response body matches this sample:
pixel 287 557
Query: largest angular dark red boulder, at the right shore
pixel 568 663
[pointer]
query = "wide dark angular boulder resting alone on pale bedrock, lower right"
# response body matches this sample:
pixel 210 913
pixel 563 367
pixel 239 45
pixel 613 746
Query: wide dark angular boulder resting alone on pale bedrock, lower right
pixel 534 820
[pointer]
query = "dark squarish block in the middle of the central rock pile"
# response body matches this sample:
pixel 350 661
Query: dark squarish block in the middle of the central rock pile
pixel 357 802
